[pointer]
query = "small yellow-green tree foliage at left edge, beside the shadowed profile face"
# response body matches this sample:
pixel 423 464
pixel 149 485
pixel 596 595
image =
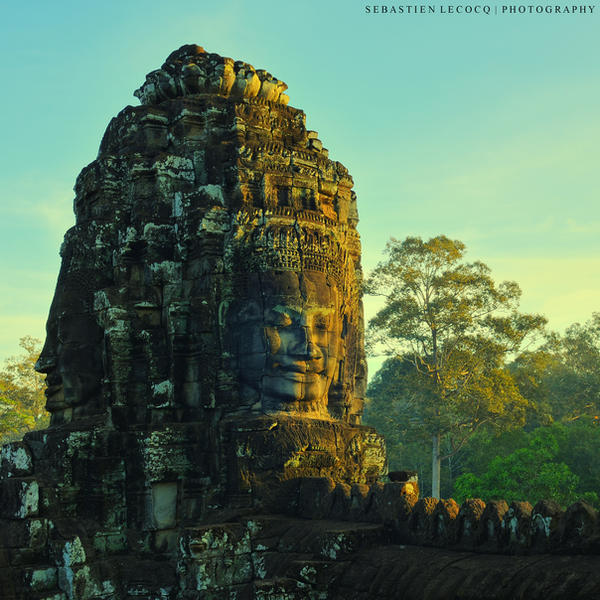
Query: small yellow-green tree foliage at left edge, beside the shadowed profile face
pixel 22 398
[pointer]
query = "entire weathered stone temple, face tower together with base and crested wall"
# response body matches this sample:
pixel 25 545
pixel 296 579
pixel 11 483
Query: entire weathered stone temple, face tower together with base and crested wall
pixel 206 372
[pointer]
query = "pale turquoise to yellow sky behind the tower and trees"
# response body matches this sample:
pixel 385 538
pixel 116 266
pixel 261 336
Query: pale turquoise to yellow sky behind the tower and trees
pixel 484 128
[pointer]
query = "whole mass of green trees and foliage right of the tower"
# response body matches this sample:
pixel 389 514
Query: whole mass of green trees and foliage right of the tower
pixel 527 430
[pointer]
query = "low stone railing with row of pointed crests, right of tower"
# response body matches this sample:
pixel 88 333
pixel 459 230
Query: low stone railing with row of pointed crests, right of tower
pixel 495 527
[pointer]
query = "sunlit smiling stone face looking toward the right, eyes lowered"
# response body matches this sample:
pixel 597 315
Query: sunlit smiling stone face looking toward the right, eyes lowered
pixel 287 340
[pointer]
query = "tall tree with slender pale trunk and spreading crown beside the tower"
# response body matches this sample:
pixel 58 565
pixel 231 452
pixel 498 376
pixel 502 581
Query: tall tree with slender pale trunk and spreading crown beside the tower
pixel 457 328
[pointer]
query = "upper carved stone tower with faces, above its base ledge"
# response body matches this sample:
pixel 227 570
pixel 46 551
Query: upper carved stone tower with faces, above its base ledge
pixel 215 263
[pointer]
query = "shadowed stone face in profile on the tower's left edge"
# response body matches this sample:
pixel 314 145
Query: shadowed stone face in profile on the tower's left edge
pixel 71 357
